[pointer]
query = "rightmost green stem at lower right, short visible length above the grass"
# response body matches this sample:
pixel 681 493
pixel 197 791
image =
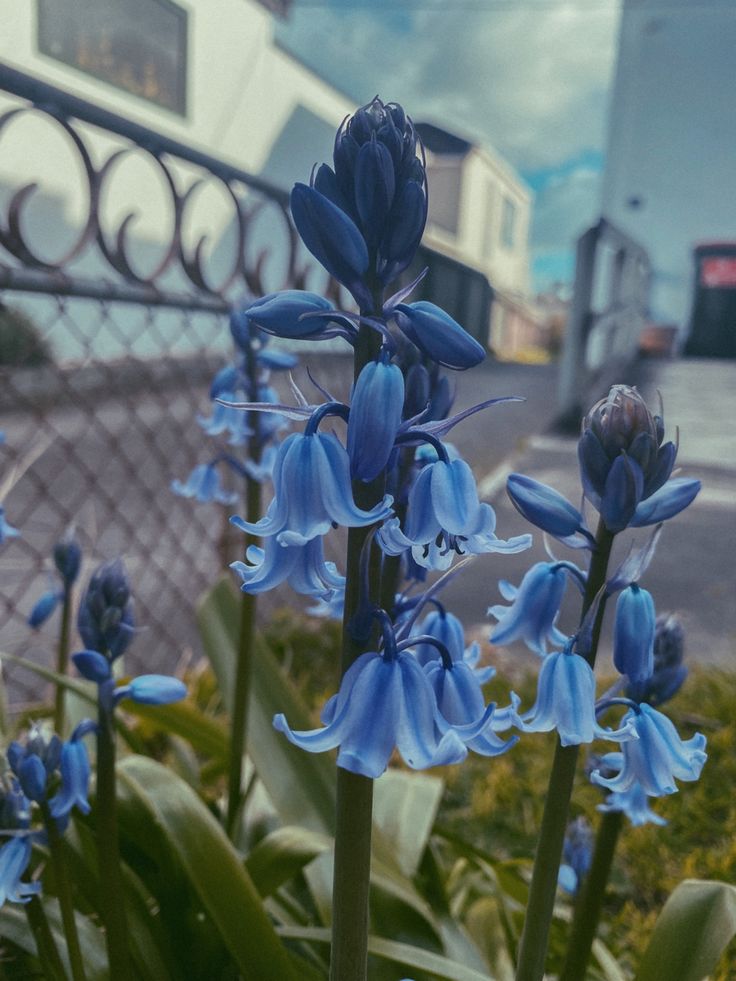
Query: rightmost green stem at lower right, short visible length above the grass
pixel 589 902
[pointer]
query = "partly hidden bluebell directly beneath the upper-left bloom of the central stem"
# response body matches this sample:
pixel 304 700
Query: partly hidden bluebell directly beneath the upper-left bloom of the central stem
pixel 302 566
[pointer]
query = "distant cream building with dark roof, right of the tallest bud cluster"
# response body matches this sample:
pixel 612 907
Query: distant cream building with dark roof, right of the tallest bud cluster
pixel 480 214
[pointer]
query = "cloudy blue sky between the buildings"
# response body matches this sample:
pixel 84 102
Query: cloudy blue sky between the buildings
pixel 529 77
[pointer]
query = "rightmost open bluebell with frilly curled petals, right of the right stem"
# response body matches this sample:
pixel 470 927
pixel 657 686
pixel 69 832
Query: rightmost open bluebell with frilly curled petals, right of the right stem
pixel 656 758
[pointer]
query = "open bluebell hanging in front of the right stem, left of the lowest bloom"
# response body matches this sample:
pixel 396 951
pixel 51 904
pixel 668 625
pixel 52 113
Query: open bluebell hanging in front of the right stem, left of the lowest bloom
pixel 566 702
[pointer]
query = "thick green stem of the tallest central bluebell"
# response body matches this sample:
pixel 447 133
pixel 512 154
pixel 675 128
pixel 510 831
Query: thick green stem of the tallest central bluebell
pixel 354 813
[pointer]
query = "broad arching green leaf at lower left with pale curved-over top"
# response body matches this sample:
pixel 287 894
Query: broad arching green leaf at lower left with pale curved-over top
pixel 213 868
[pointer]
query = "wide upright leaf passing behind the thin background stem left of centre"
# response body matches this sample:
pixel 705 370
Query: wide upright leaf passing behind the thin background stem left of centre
pixel 301 785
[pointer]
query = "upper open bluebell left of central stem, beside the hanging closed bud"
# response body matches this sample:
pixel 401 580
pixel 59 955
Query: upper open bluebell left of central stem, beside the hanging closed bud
pixel 311 479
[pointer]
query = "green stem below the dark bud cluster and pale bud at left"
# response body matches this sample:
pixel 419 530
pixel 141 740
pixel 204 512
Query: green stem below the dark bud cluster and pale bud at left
pixel 112 907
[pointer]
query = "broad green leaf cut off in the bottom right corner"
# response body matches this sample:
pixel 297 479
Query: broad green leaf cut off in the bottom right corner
pixel 695 925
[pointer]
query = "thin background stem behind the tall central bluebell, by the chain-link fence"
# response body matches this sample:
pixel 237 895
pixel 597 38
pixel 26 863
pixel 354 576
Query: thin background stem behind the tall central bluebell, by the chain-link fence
pixel 246 637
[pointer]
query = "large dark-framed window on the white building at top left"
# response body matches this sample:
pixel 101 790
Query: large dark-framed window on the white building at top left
pixel 139 46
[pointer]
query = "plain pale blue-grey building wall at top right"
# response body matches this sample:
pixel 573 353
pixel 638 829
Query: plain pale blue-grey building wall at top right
pixel 672 143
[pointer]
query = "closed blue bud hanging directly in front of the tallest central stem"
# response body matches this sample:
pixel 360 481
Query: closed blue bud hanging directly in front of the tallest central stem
pixel 375 417
